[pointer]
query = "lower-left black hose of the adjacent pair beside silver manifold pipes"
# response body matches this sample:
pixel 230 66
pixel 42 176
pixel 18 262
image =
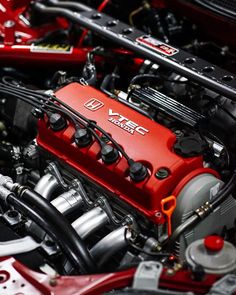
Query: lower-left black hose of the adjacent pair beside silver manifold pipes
pixel 49 229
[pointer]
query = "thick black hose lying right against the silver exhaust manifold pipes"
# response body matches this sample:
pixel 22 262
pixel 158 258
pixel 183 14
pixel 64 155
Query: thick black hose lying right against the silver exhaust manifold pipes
pixel 65 231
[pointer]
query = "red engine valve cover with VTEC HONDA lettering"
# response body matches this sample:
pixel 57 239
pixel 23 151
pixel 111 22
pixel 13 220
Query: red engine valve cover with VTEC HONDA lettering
pixel 143 140
